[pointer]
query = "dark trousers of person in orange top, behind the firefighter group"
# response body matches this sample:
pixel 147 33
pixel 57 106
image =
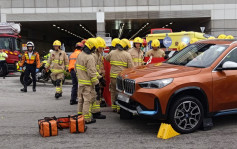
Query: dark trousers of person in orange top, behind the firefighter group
pixel 74 85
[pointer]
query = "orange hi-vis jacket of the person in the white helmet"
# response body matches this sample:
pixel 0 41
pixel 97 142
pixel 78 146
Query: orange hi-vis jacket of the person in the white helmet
pixel 34 59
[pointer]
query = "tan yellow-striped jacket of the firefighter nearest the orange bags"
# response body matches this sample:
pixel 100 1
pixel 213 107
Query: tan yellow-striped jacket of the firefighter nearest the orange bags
pixel 86 70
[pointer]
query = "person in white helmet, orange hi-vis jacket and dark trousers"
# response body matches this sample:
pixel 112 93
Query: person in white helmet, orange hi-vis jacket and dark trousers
pixel 32 61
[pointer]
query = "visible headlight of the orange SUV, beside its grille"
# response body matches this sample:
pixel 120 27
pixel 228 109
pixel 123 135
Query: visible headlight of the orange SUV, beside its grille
pixel 156 83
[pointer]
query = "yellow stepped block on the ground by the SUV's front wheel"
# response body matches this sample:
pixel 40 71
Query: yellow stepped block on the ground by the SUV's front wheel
pixel 166 131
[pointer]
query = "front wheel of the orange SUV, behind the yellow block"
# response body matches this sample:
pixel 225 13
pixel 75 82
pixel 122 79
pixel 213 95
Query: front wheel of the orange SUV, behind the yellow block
pixel 186 114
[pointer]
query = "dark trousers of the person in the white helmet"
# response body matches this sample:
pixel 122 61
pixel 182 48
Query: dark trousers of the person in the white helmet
pixel 30 69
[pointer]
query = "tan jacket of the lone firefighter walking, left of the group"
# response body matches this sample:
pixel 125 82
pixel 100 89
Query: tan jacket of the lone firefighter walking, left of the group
pixel 58 61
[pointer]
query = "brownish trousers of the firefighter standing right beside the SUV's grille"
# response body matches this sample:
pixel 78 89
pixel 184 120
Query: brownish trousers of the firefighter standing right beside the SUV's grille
pixel 113 93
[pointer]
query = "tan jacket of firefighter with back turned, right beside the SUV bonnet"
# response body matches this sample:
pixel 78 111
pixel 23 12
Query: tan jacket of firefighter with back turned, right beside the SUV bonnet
pixel 119 61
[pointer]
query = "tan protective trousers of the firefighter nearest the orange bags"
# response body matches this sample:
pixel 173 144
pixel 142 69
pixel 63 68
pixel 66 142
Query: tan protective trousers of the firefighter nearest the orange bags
pixel 85 95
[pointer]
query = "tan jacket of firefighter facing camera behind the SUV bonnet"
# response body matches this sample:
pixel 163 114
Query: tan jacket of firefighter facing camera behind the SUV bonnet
pixel 137 56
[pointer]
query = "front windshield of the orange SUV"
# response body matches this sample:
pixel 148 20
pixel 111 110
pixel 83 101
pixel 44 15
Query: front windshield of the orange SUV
pixel 198 55
